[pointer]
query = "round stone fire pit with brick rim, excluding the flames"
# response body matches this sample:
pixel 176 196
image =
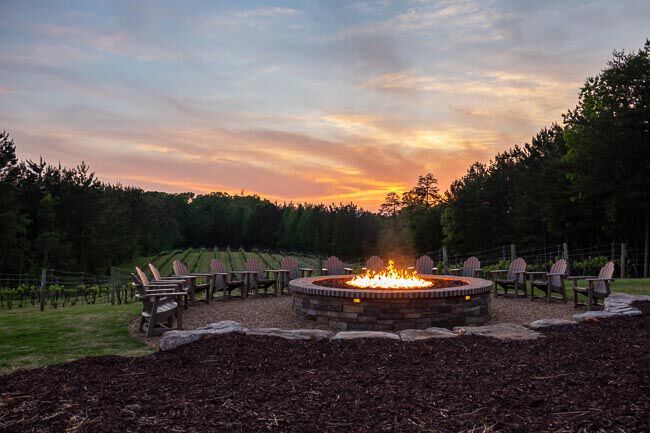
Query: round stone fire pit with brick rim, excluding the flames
pixel 392 310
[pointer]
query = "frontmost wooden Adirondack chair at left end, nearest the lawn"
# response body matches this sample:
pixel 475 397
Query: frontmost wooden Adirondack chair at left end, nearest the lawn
pixel 160 304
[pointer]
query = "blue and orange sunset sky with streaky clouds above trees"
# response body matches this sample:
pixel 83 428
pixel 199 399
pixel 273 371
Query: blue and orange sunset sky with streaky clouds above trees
pixel 322 101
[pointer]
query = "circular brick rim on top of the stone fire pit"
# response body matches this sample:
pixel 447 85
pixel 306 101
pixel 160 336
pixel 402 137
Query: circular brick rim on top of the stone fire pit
pixel 474 286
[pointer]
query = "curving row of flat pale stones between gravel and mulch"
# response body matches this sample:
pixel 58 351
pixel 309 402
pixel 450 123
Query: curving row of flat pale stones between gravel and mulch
pixel 615 305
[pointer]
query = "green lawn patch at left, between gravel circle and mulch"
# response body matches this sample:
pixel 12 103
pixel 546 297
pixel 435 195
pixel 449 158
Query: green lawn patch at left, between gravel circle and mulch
pixel 29 338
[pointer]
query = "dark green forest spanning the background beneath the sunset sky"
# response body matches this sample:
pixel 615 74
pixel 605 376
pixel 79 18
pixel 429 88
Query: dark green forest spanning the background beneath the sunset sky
pixel 585 182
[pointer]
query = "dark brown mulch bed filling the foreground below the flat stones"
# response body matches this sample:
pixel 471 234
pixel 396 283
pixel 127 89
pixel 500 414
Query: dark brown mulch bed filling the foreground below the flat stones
pixel 587 378
